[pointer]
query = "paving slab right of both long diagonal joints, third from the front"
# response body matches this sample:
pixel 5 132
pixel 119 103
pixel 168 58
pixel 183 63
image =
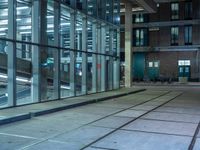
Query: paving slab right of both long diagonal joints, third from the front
pixel 173 117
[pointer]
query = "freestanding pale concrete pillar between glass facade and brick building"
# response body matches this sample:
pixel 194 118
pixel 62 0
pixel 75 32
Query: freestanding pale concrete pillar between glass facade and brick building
pixel 128 45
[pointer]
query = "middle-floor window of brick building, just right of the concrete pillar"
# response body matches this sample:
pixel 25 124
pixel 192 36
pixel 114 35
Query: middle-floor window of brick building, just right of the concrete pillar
pixel 140 37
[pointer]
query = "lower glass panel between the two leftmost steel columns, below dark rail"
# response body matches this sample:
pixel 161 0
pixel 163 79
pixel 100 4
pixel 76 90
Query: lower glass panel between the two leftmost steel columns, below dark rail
pixel 24 73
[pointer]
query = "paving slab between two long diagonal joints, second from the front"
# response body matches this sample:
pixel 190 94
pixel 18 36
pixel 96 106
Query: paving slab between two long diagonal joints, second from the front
pixel 111 122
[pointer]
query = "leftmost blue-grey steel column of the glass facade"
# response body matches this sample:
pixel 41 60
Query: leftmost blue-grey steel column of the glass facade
pixel 12 53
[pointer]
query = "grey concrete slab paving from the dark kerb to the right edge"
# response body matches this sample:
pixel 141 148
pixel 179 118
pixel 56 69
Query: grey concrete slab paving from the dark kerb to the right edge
pixel 160 118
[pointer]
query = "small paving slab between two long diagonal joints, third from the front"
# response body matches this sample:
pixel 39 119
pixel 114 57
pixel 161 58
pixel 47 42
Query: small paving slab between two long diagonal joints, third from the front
pixel 131 113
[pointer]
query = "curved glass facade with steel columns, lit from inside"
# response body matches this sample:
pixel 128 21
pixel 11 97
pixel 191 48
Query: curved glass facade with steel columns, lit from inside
pixel 57 49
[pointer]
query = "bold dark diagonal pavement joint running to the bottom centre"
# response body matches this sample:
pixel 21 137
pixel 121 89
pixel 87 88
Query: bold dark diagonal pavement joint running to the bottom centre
pixel 129 122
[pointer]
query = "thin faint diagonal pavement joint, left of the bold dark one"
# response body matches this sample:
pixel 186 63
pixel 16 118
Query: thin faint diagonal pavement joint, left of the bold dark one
pixel 166 92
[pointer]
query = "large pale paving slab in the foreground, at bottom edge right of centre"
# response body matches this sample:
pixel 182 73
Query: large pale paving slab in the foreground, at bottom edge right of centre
pixel 129 140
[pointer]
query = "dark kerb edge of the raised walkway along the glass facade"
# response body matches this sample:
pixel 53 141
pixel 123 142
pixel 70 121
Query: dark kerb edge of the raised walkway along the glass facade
pixel 30 115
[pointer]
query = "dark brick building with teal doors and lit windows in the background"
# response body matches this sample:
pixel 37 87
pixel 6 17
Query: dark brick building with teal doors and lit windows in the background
pixel 166 44
